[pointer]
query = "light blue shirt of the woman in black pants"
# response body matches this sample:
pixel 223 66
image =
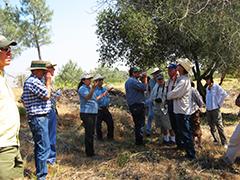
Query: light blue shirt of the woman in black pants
pixel 87 106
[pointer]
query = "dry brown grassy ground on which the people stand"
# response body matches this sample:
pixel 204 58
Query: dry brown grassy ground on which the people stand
pixel 121 159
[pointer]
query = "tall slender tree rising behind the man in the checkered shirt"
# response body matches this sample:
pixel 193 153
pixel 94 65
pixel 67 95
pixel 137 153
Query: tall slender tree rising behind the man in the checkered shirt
pixel 35 18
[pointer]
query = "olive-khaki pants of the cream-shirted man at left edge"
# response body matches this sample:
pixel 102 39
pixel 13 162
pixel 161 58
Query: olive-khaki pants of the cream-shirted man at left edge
pixel 11 164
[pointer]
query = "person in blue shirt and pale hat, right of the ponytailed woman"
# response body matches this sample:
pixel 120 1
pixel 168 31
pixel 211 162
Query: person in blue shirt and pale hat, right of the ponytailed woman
pixel 103 101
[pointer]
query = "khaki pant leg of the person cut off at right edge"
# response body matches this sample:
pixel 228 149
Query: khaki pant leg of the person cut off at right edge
pixel 233 150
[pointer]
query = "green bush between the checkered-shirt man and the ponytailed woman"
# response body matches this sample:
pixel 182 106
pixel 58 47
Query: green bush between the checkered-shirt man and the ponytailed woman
pixel 69 75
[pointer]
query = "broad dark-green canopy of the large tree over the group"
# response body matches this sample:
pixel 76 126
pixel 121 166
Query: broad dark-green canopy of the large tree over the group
pixel 149 32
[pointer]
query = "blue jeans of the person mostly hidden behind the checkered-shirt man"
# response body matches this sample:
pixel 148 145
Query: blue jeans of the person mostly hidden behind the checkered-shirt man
pixel 52 129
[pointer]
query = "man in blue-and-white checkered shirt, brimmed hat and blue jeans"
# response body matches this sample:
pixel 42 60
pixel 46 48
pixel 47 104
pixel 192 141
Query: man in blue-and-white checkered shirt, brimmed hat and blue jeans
pixel 36 98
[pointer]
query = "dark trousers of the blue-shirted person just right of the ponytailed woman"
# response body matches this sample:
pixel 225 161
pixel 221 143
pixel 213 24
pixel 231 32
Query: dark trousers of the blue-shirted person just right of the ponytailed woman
pixel 104 115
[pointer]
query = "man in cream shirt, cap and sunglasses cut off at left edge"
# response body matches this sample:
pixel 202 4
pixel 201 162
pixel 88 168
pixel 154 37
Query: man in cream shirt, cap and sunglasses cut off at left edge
pixel 11 164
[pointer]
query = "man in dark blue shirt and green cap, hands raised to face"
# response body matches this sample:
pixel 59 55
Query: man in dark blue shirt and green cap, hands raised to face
pixel 135 100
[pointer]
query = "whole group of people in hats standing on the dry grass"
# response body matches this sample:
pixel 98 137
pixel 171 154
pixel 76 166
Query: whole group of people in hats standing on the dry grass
pixel 174 105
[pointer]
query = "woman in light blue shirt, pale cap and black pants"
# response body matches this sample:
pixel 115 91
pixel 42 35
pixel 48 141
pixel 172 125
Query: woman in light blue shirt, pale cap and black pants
pixel 88 110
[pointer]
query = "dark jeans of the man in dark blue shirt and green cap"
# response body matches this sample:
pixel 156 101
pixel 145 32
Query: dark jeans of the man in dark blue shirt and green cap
pixel 138 114
